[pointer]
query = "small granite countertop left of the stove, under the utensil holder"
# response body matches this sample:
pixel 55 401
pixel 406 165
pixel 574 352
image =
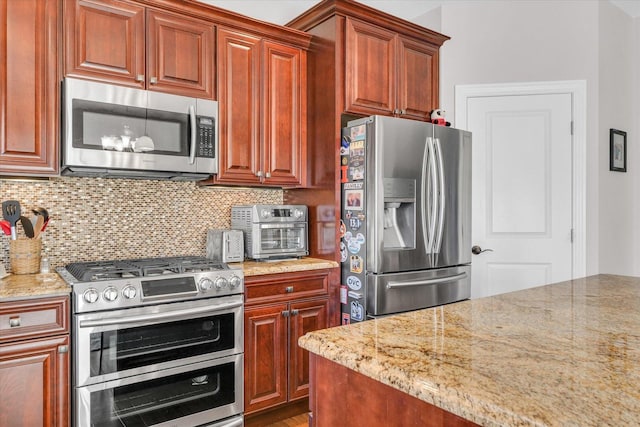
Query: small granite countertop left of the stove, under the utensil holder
pixel 21 286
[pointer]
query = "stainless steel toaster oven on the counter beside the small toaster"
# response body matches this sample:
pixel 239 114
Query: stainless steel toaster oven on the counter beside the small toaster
pixel 272 231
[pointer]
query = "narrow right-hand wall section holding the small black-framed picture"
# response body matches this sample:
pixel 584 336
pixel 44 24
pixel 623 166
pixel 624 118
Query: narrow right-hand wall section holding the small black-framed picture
pixel 618 195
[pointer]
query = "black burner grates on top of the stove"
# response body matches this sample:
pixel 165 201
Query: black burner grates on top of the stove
pixel 141 267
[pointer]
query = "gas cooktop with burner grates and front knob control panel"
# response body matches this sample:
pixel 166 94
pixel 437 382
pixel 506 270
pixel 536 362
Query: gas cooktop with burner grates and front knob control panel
pixel 107 285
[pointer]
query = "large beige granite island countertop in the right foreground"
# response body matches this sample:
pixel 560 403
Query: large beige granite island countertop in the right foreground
pixel 566 354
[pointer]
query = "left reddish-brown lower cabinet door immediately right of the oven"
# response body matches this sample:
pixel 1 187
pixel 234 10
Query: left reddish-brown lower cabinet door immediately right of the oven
pixel 265 357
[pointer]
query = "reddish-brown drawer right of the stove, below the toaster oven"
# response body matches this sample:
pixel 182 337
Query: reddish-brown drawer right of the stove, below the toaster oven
pixel 279 288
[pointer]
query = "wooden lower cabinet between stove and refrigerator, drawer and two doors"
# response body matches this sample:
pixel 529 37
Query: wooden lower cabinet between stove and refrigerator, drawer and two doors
pixel 279 309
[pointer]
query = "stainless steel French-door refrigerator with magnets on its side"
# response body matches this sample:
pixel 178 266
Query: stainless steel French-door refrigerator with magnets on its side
pixel 406 216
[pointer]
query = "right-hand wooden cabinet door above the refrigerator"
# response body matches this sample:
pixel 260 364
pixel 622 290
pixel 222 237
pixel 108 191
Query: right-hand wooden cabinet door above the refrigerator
pixel 417 79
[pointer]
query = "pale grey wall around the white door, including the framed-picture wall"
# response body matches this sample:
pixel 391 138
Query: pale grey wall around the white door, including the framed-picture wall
pixel 498 41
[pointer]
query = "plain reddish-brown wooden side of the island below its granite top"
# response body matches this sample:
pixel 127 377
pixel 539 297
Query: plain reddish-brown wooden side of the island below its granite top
pixel 343 397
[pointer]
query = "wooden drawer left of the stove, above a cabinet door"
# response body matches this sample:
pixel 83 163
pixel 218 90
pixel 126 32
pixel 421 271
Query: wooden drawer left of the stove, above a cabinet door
pixel 33 318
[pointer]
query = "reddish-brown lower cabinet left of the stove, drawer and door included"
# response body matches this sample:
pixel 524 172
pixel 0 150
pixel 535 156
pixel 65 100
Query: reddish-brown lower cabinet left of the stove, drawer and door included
pixel 34 372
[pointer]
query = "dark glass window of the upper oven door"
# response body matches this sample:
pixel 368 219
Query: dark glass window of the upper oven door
pixel 130 348
